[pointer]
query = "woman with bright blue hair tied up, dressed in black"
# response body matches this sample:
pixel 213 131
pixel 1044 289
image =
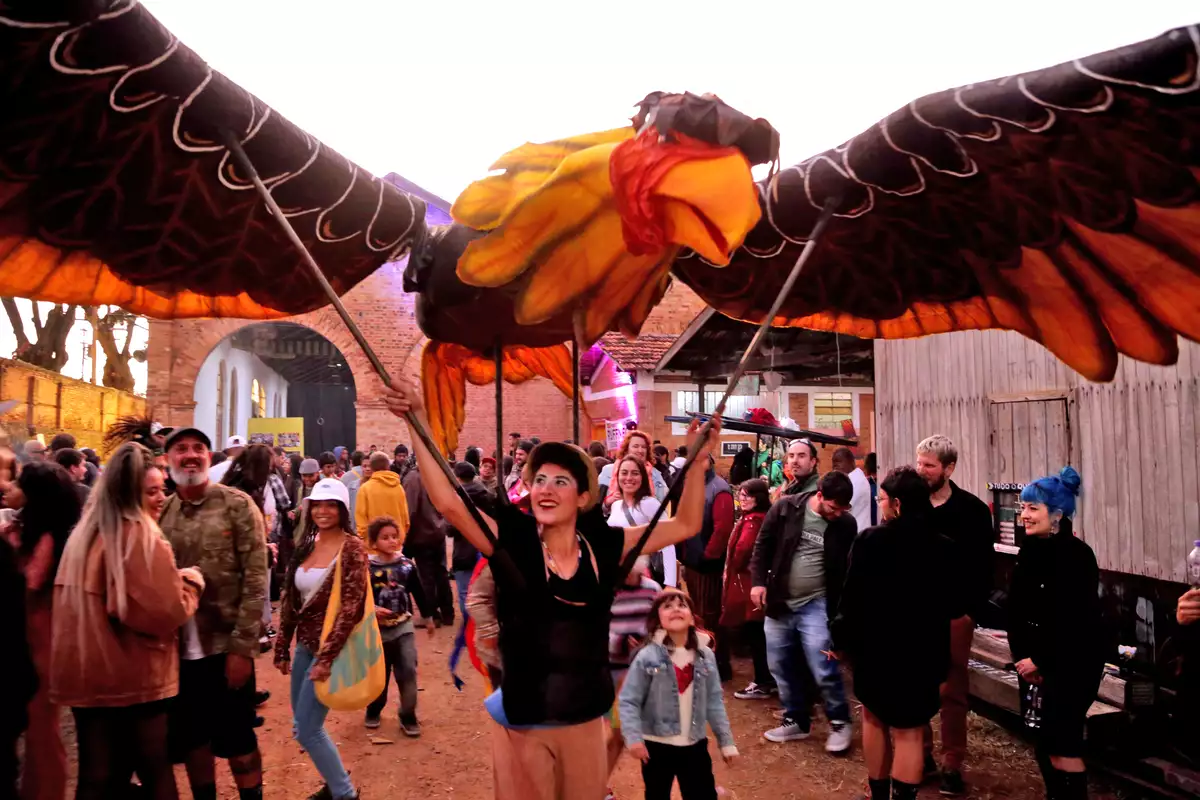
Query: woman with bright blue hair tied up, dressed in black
pixel 1057 631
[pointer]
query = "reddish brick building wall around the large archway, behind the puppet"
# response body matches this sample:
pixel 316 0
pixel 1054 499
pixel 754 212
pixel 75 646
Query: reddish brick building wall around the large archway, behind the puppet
pixel 386 315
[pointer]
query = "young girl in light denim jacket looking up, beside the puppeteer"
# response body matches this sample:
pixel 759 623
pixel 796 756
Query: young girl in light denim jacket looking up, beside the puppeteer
pixel 671 695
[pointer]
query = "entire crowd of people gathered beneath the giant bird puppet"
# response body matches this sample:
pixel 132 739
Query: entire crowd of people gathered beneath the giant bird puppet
pixel 147 587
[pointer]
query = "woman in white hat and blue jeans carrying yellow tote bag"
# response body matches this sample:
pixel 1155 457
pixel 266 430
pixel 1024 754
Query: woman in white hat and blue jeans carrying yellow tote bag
pixel 325 605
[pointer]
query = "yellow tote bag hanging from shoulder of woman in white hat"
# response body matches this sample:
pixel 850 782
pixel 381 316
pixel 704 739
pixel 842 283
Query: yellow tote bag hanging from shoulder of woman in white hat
pixel 358 673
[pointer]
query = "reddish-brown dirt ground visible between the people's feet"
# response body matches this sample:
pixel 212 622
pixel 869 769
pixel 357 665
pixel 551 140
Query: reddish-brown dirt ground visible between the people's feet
pixel 453 759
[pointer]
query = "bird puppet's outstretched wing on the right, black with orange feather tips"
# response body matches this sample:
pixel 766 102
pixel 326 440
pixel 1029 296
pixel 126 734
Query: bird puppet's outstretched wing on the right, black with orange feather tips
pixel 1063 204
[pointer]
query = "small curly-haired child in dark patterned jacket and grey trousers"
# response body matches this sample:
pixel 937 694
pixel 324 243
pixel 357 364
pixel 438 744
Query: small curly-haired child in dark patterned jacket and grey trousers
pixel 397 587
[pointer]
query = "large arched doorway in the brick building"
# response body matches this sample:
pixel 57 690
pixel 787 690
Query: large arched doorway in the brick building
pixel 273 370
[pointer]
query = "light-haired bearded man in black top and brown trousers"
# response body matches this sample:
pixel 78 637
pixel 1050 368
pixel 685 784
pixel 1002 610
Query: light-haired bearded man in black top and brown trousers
pixel 964 520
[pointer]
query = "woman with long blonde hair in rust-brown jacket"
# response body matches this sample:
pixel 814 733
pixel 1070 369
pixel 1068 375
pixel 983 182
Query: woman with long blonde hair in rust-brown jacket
pixel 119 603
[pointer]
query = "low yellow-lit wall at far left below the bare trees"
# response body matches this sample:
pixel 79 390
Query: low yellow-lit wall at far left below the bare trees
pixel 50 404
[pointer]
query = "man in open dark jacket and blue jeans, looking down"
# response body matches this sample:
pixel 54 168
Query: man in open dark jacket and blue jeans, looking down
pixel 799 569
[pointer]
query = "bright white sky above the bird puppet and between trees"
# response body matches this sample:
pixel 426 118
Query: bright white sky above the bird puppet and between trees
pixel 437 92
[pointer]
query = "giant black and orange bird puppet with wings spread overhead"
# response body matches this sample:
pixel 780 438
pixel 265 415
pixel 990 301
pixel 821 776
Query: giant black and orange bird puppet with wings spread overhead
pixel 1060 203
